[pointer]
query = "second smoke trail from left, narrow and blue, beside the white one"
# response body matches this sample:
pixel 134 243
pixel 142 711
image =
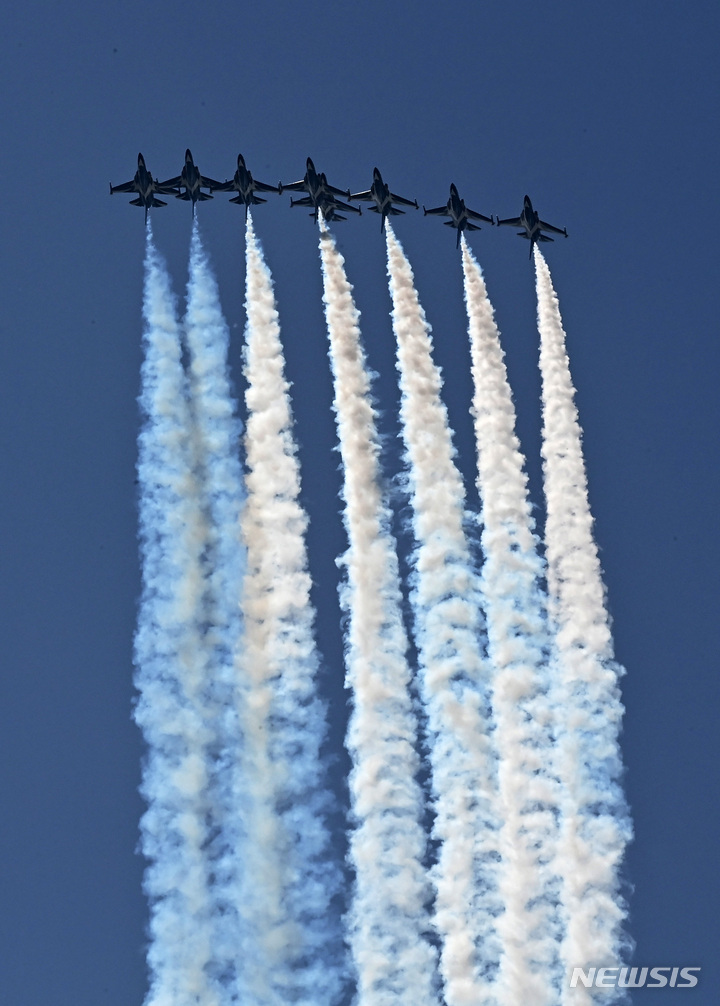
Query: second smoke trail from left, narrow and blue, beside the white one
pixel 216 446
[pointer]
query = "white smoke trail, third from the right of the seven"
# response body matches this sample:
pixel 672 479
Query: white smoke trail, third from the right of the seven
pixel 454 675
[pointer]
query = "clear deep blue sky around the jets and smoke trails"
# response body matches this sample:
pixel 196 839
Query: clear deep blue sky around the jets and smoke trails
pixel 607 115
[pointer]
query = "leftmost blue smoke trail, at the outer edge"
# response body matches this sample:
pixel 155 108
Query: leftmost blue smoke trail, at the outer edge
pixel 172 708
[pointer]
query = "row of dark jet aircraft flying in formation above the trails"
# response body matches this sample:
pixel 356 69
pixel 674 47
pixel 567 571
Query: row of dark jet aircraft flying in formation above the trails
pixel 322 198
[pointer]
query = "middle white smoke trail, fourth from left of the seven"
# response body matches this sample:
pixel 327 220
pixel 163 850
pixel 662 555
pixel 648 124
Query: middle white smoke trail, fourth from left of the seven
pixel 396 965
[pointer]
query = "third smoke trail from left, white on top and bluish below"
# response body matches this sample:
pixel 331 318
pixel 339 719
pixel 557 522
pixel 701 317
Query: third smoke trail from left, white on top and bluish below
pixel 288 904
